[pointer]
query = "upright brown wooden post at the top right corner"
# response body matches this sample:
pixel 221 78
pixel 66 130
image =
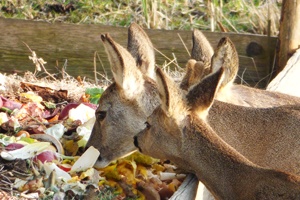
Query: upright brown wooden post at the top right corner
pixel 289 32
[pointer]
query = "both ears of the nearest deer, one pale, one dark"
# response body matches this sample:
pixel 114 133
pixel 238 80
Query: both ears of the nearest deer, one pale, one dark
pixel 198 99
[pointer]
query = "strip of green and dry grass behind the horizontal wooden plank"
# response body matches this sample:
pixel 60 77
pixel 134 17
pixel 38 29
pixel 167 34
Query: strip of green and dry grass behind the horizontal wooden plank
pixel 241 16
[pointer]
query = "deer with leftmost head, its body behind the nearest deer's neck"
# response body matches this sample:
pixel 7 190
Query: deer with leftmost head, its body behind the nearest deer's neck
pixel 266 136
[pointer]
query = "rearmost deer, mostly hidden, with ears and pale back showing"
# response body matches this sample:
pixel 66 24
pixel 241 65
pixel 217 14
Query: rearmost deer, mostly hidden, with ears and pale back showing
pixel 226 56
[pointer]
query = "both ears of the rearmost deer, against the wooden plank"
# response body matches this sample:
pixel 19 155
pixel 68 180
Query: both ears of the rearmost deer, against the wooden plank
pixel 203 54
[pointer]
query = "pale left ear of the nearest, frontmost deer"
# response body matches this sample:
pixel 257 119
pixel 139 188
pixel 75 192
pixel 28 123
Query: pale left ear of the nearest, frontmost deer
pixel 171 96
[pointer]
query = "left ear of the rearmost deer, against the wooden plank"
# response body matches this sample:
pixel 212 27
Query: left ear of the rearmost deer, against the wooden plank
pixel 202 50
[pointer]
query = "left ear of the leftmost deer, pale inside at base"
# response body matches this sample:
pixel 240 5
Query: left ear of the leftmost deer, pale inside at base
pixel 123 67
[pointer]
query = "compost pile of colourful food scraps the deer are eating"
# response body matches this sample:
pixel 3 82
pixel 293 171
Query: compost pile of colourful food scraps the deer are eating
pixel 44 127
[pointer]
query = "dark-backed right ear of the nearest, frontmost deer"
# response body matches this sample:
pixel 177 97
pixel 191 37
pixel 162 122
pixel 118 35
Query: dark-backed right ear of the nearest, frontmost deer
pixel 201 96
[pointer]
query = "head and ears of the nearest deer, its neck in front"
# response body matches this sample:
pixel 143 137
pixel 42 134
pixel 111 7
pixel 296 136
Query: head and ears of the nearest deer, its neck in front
pixel 167 121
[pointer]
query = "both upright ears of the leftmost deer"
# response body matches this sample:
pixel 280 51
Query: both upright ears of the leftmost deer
pixel 129 65
